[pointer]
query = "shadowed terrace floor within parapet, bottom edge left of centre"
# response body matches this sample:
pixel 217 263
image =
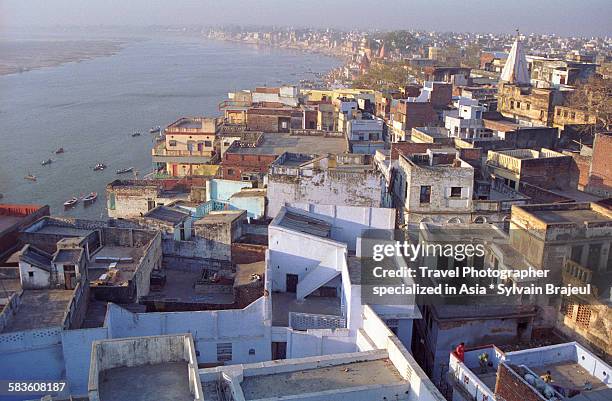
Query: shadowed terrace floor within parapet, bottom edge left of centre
pixel 165 381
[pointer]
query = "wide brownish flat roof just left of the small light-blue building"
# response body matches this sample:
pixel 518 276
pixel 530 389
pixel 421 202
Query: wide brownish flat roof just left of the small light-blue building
pixel 278 143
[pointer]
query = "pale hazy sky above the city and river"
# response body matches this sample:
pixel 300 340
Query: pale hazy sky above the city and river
pixel 564 17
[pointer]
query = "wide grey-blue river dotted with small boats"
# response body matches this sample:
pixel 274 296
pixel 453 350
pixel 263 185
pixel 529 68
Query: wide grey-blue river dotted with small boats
pixel 90 109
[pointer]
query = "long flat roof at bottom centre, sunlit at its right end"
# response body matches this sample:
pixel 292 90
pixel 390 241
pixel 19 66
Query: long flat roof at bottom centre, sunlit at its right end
pixel 355 374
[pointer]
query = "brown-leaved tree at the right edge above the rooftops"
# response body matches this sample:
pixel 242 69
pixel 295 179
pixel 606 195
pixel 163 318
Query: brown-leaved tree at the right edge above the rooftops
pixel 594 97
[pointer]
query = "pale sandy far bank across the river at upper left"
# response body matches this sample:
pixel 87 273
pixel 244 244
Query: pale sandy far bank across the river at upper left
pixel 21 56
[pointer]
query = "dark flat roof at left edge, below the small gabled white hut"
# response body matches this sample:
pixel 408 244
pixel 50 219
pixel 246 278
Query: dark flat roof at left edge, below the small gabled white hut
pixel 40 309
